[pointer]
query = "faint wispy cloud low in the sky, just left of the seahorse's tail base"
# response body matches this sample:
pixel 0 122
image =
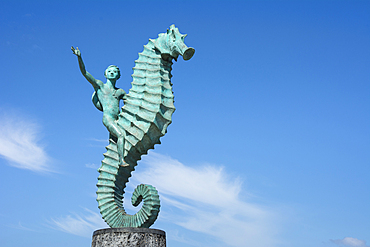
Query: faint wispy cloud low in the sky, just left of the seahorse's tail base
pixel 79 225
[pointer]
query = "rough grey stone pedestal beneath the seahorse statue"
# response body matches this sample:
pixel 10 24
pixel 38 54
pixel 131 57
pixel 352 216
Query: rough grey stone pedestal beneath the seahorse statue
pixel 129 237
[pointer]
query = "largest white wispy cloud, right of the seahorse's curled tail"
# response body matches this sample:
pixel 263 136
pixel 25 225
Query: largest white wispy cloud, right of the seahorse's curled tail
pixel 207 200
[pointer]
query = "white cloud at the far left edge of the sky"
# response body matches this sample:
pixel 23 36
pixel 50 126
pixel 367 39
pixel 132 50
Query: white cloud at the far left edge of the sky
pixel 19 144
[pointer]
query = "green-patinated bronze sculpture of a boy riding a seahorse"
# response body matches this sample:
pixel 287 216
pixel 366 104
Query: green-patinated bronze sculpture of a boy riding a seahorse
pixel 144 118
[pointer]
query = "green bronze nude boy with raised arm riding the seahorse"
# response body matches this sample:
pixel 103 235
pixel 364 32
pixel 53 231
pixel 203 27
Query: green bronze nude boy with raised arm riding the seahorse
pixel 106 98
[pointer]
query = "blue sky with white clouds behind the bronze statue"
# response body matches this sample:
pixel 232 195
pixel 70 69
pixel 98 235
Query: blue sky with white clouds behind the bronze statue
pixel 269 145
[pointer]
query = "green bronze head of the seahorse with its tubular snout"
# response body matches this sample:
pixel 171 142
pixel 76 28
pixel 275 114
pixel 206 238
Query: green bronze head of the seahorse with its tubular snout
pixel 171 44
